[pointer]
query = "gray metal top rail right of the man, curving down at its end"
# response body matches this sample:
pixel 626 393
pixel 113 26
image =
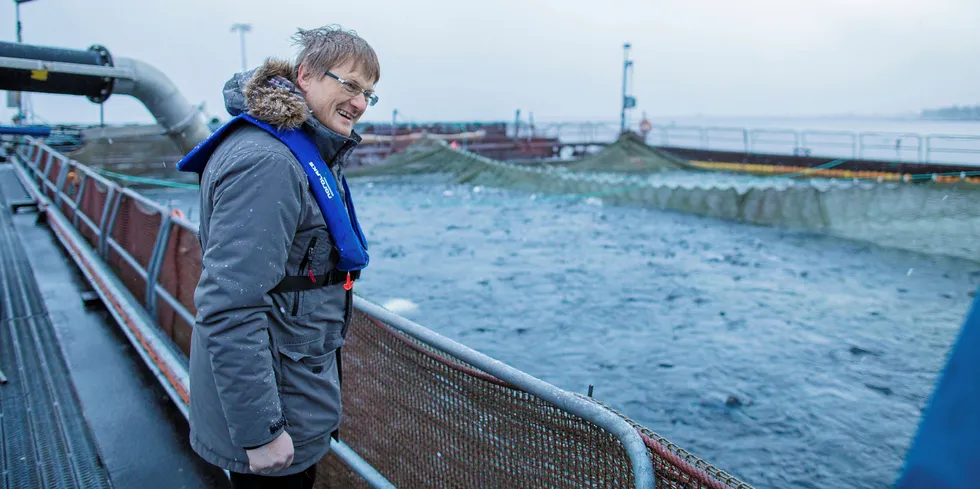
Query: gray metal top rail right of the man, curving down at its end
pixel 643 473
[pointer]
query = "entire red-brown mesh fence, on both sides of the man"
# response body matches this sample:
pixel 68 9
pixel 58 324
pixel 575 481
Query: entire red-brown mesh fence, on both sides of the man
pixel 419 416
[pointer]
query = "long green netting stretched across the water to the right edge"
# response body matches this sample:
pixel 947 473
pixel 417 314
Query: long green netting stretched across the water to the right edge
pixel 926 217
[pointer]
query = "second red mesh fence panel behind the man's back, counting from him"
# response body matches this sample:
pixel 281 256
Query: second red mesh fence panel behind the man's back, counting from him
pixel 134 229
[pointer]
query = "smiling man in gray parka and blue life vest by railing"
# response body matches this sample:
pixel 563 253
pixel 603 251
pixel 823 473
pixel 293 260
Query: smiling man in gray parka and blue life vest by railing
pixel 280 250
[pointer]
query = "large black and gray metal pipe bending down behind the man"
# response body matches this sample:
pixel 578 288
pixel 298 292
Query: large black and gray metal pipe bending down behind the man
pixel 95 74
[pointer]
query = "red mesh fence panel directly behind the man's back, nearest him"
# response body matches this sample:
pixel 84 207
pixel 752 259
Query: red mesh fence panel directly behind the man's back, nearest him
pixel 179 274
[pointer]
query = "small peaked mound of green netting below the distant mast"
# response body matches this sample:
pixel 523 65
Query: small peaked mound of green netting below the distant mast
pixel 629 154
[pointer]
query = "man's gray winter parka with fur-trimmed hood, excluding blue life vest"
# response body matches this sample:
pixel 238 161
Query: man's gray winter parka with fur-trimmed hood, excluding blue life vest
pixel 264 362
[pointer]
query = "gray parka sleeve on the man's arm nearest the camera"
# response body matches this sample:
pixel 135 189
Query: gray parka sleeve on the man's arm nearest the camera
pixel 256 208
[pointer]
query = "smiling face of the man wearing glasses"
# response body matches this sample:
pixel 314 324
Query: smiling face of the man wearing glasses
pixel 332 102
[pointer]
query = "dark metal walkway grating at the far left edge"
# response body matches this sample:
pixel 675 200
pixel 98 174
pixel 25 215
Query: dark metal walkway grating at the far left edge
pixel 45 440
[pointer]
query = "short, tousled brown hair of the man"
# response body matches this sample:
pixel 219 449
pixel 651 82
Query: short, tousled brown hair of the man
pixel 326 47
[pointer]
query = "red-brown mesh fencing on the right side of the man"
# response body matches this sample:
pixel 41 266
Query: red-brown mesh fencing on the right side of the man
pixel 426 420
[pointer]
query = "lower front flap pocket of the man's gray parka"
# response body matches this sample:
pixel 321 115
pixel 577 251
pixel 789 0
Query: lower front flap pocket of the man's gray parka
pixel 310 391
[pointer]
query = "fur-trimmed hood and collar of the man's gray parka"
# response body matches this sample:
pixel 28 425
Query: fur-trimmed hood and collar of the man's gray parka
pixel 270 93
